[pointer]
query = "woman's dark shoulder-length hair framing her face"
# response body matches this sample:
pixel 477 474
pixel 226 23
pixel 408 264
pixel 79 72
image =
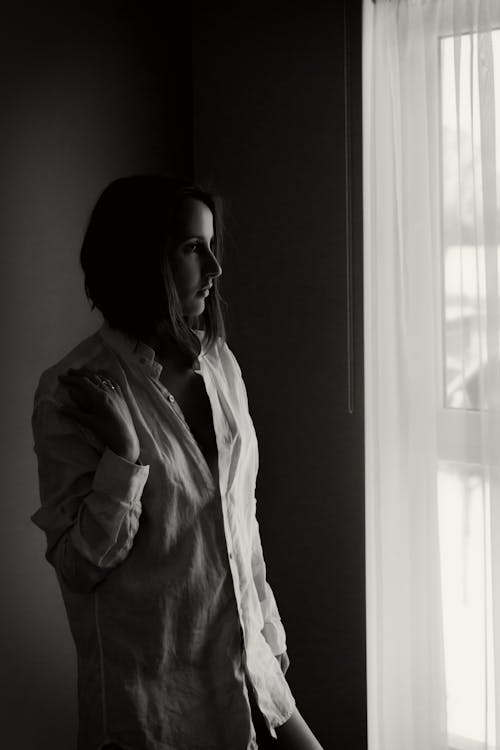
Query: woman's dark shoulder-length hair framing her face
pixel 127 270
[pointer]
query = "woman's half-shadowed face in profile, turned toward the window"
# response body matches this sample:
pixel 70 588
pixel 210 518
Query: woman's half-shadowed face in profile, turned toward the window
pixel 193 263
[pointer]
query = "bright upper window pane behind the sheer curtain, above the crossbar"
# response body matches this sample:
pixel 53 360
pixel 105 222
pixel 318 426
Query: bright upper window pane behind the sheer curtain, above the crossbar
pixel 463 214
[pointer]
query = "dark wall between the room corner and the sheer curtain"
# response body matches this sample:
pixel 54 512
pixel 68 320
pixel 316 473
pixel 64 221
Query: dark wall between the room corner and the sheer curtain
pixel 277 130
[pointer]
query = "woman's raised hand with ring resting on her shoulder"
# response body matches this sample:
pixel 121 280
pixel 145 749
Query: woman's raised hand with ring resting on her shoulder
pixel 101 406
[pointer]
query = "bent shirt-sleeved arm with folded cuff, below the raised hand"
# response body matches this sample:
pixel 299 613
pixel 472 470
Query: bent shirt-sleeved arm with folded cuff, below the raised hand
pixel 90 500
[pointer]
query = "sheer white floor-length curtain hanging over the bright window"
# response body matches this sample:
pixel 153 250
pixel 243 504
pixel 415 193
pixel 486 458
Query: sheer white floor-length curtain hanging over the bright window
pixel 431 116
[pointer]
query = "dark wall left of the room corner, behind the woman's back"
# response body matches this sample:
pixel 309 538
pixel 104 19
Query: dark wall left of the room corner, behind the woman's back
pixel 89 93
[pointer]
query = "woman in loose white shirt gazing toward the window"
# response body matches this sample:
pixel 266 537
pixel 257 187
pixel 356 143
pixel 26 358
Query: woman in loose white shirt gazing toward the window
pixel 147 462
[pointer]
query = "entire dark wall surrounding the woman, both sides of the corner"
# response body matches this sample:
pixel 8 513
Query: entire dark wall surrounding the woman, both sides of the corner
pixel 93 91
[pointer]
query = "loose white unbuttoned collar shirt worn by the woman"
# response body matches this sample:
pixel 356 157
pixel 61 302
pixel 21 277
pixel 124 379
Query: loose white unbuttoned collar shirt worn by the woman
pixel 162 572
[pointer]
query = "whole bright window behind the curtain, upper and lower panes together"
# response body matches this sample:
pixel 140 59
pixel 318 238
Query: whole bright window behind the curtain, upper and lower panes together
pixel 463 479
